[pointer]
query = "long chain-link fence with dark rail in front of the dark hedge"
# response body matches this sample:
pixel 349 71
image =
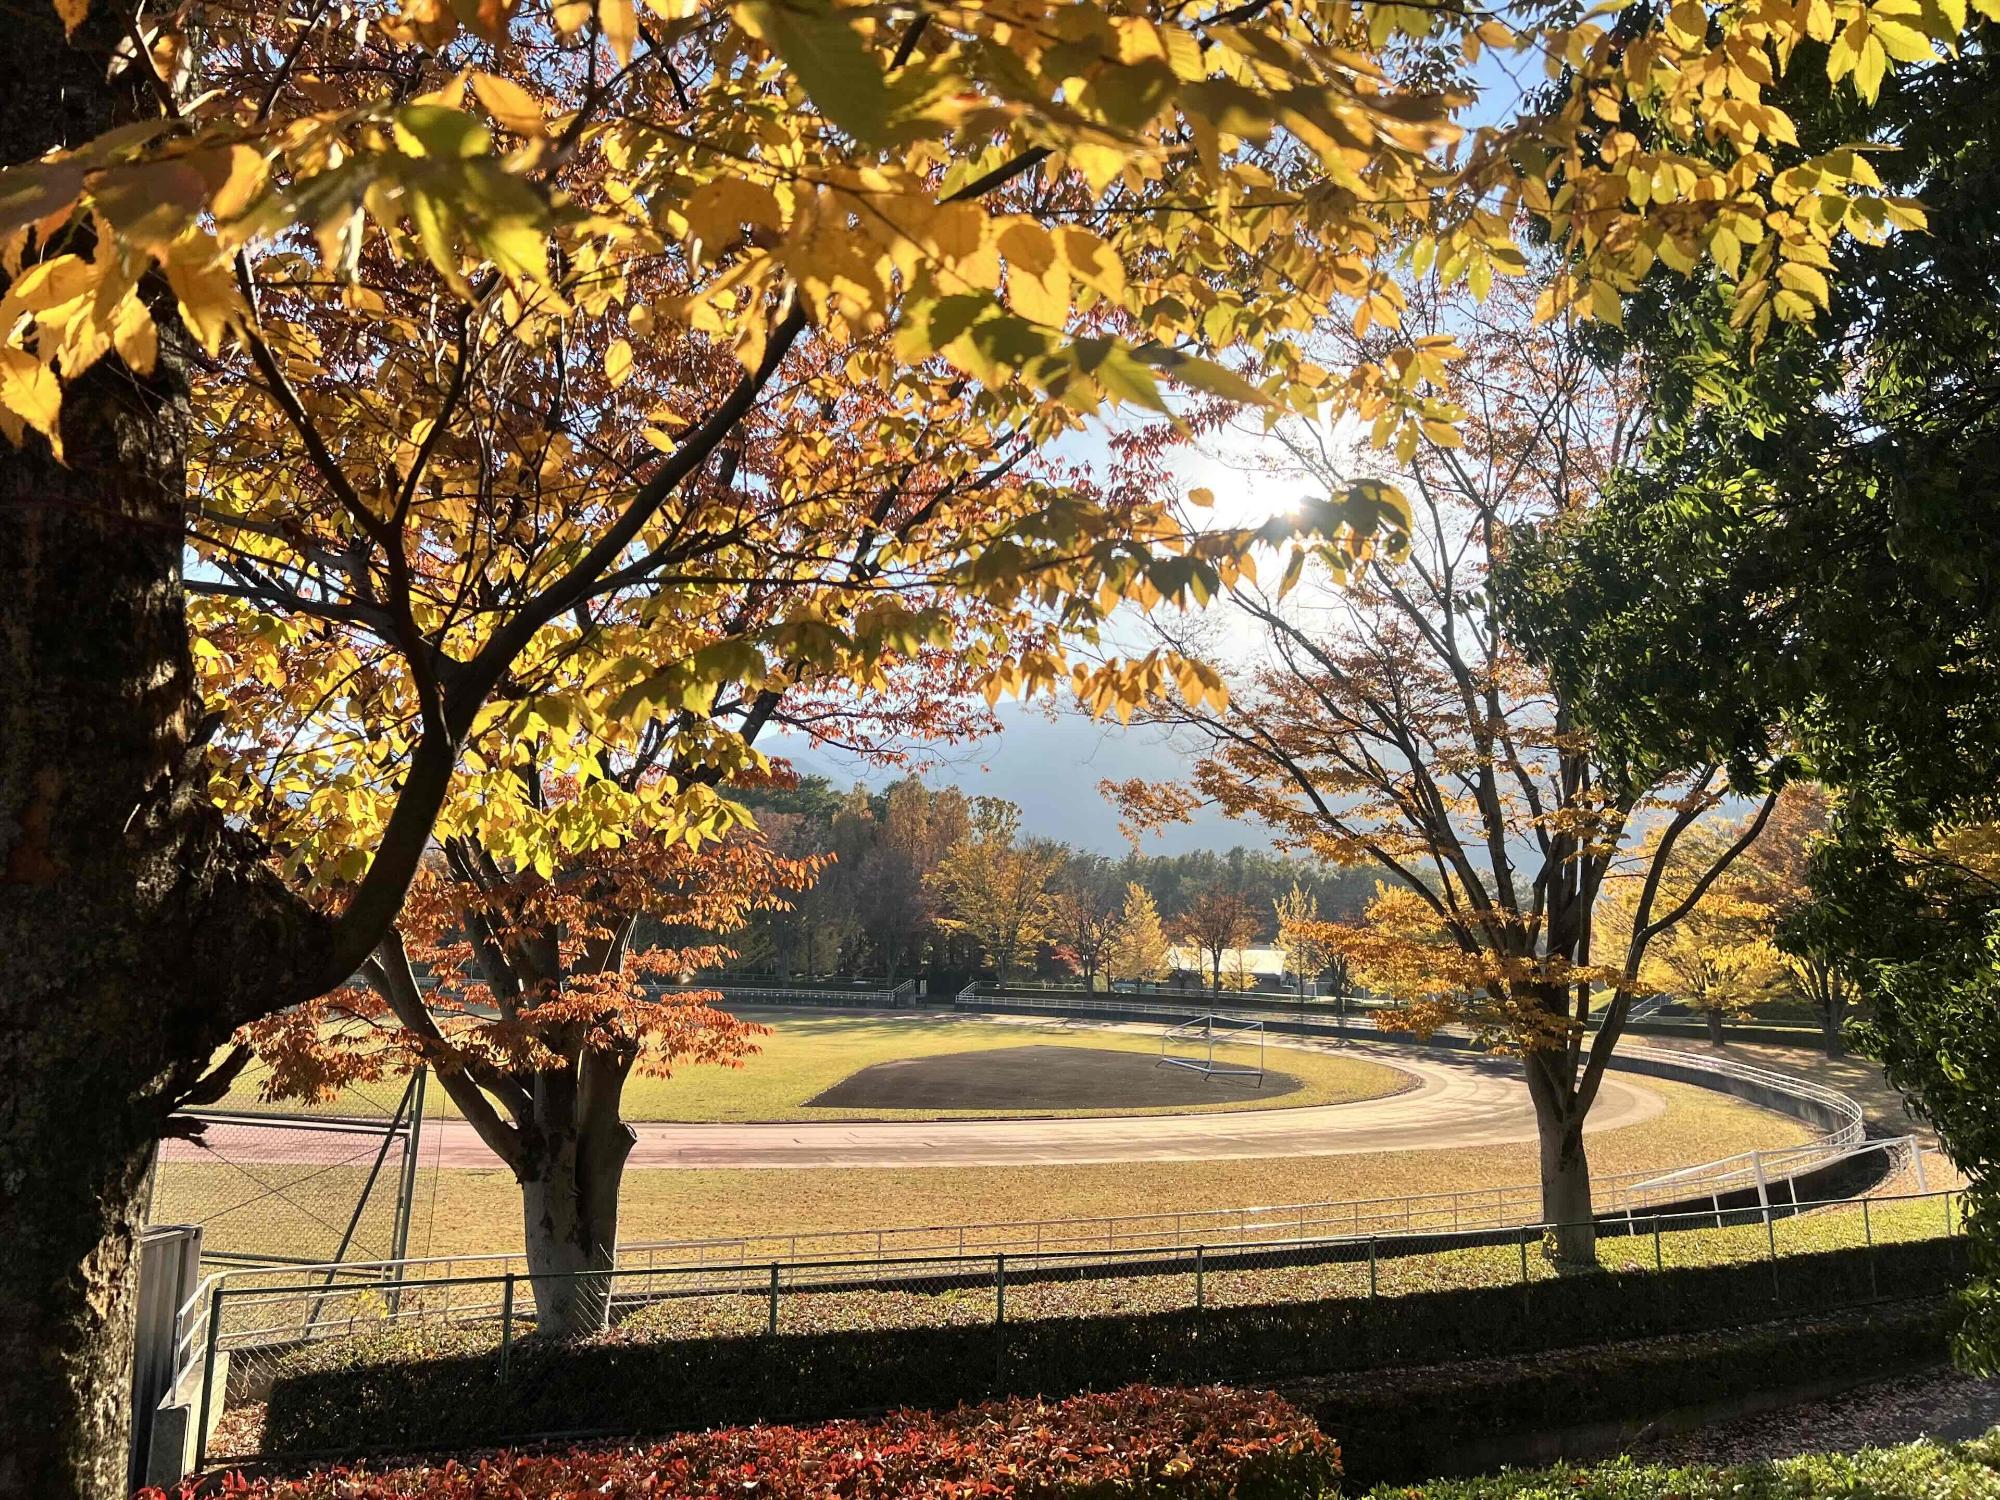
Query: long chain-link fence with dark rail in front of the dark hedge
pixel 329 1363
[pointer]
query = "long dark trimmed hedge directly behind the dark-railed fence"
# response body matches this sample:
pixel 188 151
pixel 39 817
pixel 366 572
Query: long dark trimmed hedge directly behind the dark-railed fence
pixel 425 1389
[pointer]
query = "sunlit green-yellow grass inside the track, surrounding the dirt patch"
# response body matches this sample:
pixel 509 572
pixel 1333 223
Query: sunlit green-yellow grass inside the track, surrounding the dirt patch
pixel 809 1053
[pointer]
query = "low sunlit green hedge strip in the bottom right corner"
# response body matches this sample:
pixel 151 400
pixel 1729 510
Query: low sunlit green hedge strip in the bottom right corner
pixel 1919 1471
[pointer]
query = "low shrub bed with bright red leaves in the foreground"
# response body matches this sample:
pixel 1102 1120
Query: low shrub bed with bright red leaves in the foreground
pixel 1143 1441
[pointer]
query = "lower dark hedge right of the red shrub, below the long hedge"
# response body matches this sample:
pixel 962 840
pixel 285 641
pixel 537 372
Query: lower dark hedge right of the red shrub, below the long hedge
pixel 1479 1415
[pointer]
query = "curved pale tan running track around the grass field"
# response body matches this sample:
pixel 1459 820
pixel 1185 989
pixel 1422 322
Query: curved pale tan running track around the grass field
pixel 1459 1101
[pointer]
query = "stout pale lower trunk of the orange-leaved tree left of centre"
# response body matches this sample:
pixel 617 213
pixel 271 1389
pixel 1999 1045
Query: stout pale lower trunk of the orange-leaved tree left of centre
pixel 571 1217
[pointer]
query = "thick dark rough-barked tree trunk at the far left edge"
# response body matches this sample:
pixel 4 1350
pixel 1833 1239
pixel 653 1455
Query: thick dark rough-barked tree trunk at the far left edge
pixel 137 929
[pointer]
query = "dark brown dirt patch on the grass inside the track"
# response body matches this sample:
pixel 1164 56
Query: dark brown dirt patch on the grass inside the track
pixel 1039 1079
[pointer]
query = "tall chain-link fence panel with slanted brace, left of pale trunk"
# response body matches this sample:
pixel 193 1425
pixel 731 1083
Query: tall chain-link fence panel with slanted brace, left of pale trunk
pixel 295 1189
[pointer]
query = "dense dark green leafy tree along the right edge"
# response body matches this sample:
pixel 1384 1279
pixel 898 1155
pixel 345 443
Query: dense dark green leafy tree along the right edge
pixel 1811 551
